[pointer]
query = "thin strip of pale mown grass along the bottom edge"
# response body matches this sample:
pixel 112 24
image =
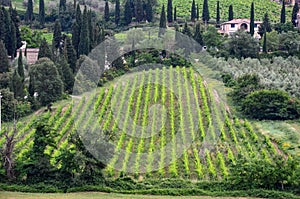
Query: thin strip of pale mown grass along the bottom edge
pixel 94 195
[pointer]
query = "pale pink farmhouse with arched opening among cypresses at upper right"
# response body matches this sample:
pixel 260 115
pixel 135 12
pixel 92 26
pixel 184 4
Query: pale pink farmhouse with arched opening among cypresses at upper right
pixel 234 25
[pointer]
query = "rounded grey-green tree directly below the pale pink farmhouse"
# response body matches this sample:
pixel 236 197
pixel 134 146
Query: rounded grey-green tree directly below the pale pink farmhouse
pixel 242 45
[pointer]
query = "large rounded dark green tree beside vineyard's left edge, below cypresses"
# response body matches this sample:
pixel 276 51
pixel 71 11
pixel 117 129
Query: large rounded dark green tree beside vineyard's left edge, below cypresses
pixel 47 81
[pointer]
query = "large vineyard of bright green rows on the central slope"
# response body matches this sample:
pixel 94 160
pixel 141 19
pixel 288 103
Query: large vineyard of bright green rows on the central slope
pixel 152 115
